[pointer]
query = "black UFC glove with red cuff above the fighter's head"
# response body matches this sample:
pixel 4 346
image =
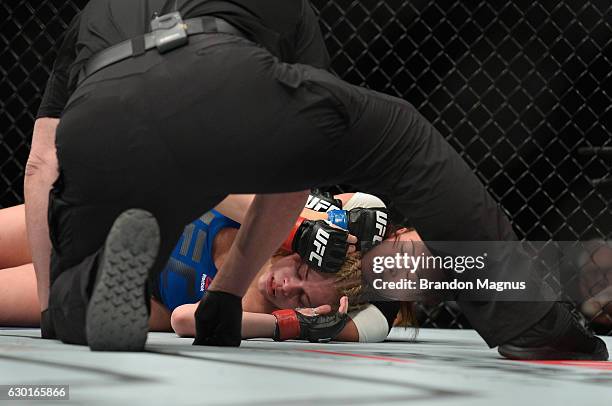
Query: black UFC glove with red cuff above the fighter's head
pixel 318 243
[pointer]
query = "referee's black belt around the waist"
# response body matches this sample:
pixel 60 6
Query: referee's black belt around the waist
pixel 141 44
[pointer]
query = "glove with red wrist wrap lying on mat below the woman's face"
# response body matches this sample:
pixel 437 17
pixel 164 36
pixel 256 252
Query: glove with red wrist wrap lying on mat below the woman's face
pixel 291 324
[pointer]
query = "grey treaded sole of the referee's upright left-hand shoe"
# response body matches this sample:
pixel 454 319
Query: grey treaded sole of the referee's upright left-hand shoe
pixel 117 315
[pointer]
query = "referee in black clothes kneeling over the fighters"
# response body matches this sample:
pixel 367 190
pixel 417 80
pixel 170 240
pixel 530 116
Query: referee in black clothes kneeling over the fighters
pixel 153 97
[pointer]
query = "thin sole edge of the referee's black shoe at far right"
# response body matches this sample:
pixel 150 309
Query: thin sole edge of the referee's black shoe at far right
pixel 549 354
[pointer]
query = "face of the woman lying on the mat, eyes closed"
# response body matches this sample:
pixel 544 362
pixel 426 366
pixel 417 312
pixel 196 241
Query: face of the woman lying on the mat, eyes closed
pixel 289 283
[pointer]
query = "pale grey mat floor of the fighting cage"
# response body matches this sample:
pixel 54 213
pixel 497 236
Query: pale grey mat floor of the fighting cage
pixel 444 367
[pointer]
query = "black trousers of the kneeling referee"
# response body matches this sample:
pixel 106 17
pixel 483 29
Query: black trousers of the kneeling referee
pixel 174 134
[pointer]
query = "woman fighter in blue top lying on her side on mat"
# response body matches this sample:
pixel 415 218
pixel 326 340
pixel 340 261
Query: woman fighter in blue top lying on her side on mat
pixel 285 282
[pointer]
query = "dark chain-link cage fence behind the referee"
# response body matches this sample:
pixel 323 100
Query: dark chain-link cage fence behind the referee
pixel 521 89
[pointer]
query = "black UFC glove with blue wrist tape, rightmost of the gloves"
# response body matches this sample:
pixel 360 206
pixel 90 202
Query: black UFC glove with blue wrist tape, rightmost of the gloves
pixel 368 225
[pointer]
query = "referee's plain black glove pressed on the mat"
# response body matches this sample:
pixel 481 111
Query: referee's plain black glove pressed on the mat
pixel 219 320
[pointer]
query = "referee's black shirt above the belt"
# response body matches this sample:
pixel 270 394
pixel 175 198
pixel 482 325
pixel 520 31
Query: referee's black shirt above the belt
pixel 288 29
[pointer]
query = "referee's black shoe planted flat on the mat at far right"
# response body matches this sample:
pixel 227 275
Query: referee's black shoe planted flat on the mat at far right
pixel 558 336
